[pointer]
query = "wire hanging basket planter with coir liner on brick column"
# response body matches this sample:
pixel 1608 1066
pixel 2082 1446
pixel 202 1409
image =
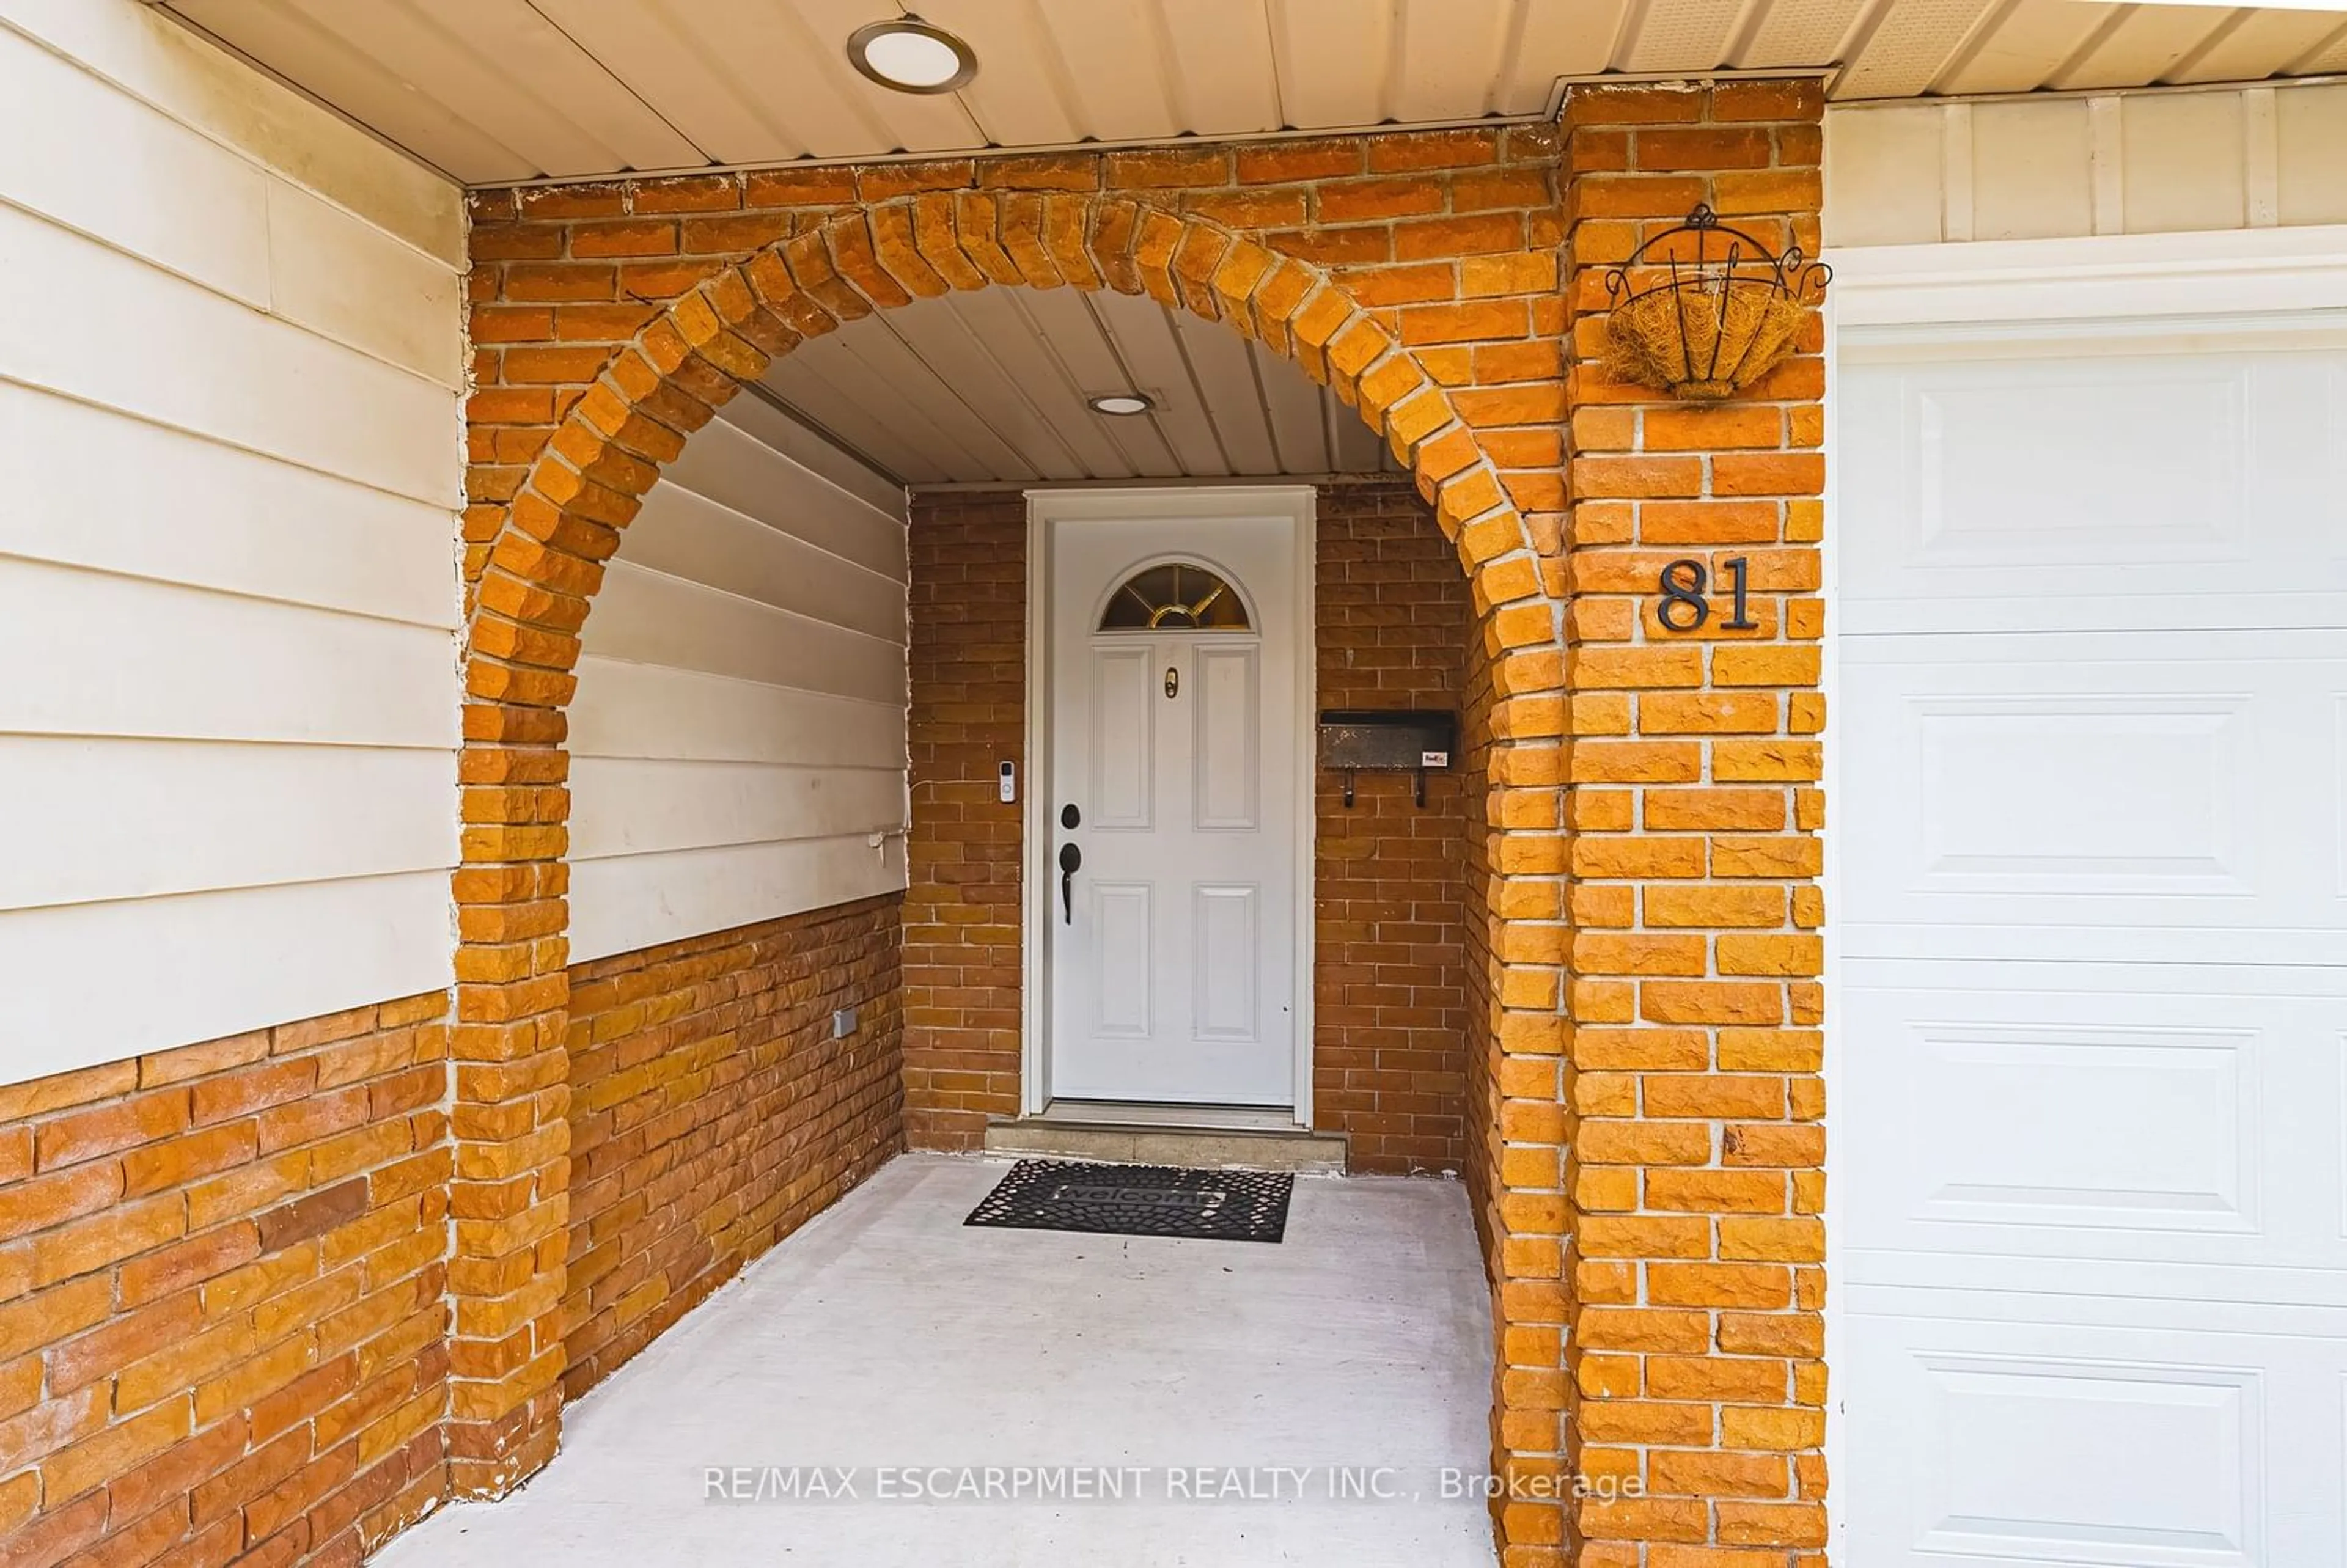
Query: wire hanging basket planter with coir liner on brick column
pixel 1703 311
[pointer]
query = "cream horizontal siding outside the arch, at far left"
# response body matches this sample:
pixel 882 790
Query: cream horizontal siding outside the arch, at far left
pixel 229 607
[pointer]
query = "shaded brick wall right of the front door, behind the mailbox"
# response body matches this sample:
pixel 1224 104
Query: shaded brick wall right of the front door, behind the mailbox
pixel 1388 891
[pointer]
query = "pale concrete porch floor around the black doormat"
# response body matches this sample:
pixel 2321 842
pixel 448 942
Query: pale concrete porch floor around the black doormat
pixel 888 1334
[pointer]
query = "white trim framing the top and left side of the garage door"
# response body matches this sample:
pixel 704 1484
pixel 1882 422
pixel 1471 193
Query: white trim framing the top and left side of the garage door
pixel 2003 290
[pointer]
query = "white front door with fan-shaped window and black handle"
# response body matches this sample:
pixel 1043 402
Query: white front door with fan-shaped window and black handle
pixel 1172 849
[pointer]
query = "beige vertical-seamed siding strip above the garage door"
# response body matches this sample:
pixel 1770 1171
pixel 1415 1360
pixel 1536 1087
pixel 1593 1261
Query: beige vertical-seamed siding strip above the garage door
pixel 2076 165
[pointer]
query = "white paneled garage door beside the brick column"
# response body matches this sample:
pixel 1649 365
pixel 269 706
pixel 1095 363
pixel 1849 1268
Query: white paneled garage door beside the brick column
pixel 2092 881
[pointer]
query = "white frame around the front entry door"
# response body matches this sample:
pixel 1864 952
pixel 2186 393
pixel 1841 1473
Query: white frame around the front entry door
pixel 1292 503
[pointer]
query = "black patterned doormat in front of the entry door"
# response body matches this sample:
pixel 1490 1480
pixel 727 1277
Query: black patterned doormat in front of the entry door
pixel 1139 1201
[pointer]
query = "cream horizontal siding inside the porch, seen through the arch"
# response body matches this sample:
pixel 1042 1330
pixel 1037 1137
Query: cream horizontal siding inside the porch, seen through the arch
pixel 738 741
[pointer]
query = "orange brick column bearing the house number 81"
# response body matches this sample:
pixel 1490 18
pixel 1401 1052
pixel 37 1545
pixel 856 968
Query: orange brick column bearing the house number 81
pixel 1696 1158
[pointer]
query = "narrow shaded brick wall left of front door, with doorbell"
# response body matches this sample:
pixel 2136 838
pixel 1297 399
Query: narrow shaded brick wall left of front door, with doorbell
pixel 961 910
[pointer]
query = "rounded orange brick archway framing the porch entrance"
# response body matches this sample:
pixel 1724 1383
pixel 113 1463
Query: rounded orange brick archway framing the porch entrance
pixel 534 583
